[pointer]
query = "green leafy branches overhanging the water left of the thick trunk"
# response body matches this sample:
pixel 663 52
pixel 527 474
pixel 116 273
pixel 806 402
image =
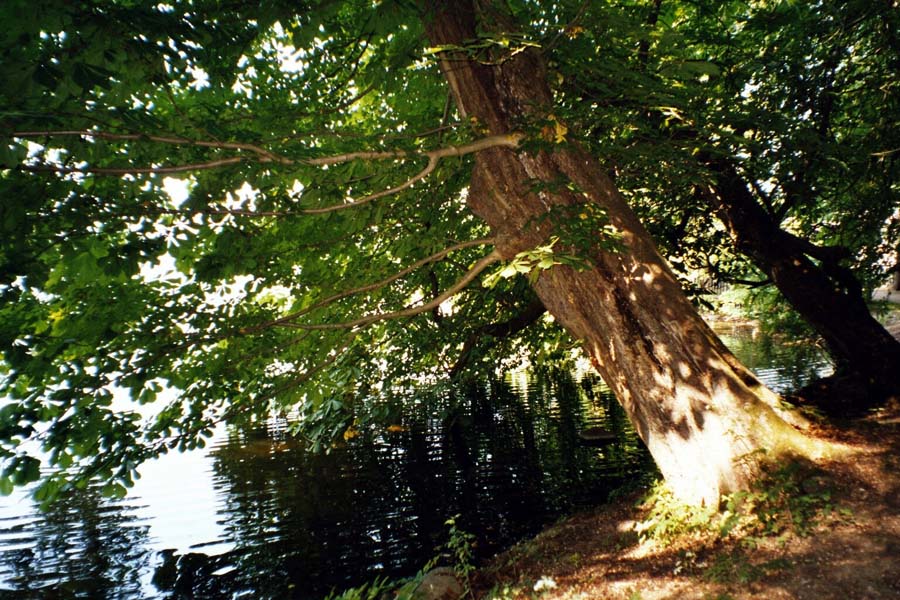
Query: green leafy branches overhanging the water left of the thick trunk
pixel 220 214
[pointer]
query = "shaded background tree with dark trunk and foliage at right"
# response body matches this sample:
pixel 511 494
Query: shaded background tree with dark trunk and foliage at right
pixel 776 118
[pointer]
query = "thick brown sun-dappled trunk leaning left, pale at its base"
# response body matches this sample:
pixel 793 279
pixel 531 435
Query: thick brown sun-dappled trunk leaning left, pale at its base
pixel 705 418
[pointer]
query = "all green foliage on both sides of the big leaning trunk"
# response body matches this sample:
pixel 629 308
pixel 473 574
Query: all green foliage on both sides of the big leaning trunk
pixel 217 212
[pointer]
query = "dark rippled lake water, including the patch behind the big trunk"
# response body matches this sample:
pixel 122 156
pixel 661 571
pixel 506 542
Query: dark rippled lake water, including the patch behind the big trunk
pixel 255 515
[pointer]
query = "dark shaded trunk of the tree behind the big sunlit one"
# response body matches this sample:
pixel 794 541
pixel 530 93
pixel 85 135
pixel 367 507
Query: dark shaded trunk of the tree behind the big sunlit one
pixel 825 294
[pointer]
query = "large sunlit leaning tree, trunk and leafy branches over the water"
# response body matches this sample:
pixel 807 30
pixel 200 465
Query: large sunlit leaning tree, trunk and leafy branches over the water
pixel 347 166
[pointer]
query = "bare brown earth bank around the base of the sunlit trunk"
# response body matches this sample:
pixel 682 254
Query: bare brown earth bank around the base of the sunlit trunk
pixel 852 552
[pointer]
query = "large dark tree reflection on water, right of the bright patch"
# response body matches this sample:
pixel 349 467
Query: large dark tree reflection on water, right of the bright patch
pixel 507 459
